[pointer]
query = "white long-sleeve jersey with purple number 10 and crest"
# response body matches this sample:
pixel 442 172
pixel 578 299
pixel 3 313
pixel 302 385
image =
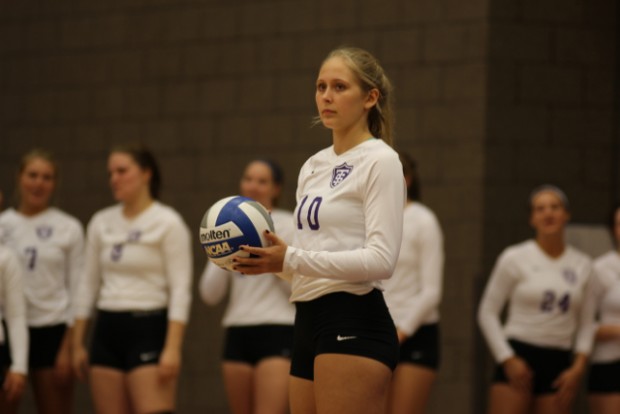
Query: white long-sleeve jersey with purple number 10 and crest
pixel 349 221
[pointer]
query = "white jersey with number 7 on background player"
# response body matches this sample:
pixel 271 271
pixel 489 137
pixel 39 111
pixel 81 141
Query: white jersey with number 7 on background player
pixel 50 246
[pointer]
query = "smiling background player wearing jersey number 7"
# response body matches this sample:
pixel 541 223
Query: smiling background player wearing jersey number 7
pixel 50 245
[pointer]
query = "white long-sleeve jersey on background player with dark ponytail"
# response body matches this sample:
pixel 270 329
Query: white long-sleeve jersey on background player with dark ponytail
pixel 143 263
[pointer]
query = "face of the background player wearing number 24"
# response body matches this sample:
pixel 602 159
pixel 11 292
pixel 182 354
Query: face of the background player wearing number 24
pixel 549 216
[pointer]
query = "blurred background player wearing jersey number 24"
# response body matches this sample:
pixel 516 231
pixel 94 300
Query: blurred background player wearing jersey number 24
pixel 540 363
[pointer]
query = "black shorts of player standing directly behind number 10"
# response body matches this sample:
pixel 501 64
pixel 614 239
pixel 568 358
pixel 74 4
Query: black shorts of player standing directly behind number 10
pixel 422 348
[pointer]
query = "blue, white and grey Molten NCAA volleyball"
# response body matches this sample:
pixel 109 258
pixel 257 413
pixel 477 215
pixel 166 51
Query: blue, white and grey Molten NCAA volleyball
pixel 230 223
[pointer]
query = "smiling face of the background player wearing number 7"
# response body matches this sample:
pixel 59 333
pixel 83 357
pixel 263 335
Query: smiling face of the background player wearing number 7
pixel 36 184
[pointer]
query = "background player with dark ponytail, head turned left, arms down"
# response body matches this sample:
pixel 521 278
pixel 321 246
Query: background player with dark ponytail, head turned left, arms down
pixel 138 274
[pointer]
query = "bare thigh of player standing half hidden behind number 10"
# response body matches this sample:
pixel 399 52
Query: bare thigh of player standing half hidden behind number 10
pixel 410 389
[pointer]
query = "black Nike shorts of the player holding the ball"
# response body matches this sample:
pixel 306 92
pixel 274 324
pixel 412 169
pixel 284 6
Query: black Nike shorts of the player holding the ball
pixel 343 323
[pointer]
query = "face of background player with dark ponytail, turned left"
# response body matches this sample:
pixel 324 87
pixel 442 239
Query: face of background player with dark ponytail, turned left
pixel 127 179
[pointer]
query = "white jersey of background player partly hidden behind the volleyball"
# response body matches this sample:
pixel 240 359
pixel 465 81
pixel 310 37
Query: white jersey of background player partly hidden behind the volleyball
pixel 254 300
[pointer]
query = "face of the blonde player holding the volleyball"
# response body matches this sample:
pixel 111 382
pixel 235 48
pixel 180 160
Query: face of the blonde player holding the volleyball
pixel 340 100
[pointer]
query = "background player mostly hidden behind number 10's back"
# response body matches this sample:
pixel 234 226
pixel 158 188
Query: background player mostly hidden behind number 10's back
pixel 413 294
